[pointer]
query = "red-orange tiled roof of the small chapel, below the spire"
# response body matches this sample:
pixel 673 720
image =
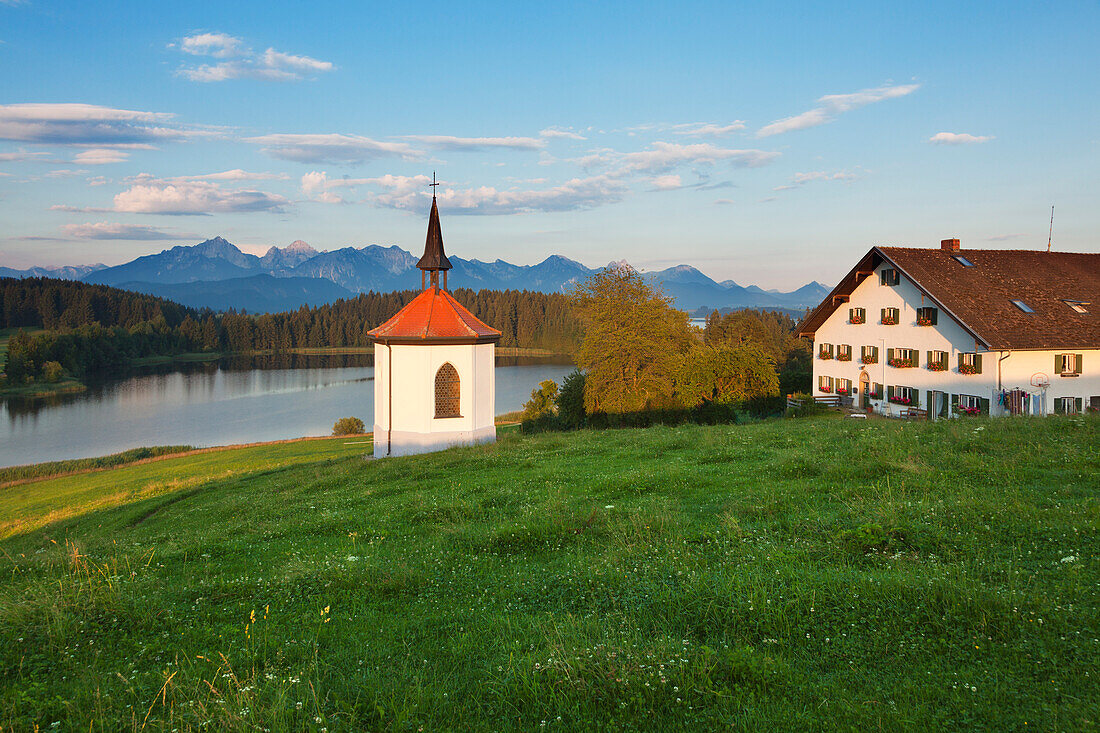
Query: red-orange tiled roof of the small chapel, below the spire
pixel 435 318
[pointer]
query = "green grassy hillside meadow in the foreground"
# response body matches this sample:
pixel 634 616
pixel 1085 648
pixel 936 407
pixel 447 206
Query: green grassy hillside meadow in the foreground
pixel 794 575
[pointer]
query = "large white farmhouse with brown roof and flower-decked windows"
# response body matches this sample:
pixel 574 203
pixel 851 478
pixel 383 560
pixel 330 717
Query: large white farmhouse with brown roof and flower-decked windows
pixel 955 332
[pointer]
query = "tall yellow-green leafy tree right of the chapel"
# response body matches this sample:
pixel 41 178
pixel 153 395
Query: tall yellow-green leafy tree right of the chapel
pixel 634 343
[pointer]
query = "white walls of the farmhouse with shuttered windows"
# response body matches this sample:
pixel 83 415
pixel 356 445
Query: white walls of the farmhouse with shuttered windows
pixel 1017 370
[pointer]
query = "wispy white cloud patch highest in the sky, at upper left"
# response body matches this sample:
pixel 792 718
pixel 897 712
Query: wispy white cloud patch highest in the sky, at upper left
pixel 241 63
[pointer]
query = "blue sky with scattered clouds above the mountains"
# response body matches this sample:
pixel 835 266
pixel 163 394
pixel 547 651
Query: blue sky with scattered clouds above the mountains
pixel 769 146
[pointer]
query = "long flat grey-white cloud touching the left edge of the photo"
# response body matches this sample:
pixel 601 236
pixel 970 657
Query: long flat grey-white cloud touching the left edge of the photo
pixel 89 126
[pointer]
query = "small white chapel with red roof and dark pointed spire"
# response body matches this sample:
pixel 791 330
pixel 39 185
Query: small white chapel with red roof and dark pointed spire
pixel 435 384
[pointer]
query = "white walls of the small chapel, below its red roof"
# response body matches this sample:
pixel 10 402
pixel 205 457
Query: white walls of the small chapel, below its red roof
pixel 405 398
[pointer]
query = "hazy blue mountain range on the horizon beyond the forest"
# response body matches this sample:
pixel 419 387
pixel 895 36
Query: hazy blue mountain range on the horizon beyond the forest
pixel 217 275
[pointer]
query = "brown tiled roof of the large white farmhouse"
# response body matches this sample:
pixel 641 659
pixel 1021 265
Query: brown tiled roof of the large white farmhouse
pixel 981 298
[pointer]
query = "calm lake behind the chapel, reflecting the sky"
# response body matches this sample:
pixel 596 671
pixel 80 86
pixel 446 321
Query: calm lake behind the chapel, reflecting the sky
pixel 241 400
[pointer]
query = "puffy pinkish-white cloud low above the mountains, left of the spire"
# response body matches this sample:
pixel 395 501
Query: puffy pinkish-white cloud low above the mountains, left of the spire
pixel 195 198
